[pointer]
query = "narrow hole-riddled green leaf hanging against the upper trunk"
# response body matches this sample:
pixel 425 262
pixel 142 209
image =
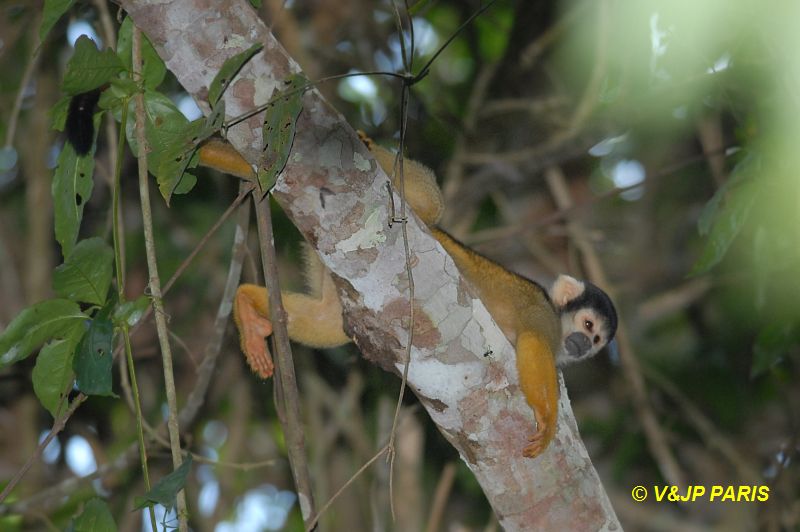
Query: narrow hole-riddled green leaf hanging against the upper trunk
pixel 280 124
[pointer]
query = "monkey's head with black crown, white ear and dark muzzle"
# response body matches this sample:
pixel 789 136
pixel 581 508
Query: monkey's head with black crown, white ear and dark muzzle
pixel 588 318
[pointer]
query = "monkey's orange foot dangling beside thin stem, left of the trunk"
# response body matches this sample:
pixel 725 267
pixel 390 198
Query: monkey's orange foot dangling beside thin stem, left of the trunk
pixel 251 314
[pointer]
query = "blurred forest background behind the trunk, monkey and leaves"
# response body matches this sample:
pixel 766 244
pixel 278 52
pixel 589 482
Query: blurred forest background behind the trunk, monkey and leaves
pixel 650 146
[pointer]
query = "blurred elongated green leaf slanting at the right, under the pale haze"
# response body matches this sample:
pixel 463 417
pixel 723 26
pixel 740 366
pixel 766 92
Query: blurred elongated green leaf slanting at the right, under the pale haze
pixel 729 221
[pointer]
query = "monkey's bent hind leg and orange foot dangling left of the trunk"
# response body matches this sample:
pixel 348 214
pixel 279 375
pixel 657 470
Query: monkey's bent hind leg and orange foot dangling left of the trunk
pixel 313 321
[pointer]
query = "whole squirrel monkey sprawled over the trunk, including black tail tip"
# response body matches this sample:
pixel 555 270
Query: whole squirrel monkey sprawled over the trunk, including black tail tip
pixel 570 322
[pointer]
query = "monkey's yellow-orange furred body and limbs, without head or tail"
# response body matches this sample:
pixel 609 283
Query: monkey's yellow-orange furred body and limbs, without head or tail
pixel 520 307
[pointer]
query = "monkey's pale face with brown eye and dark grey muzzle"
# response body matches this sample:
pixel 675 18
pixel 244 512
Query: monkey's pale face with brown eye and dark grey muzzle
pixel 584 333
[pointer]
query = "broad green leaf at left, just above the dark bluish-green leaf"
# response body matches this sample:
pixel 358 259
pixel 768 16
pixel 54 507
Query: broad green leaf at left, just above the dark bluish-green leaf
pixel 86 274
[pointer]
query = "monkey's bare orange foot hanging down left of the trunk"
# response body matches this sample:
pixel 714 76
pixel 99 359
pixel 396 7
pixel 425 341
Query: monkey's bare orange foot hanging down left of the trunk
pixel 254 329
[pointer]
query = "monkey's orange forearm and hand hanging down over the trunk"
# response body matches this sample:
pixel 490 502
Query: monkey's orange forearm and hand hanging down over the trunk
pixel 539 383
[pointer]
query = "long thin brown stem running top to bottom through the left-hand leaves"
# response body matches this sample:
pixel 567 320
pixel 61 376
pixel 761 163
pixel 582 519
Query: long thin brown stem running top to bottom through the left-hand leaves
pixel 155 283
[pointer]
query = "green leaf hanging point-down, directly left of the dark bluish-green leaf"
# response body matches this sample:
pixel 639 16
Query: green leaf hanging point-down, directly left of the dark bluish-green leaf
pixel 52 375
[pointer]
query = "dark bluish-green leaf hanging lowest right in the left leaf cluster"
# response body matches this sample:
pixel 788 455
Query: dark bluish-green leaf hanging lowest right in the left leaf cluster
pixel 93 360
